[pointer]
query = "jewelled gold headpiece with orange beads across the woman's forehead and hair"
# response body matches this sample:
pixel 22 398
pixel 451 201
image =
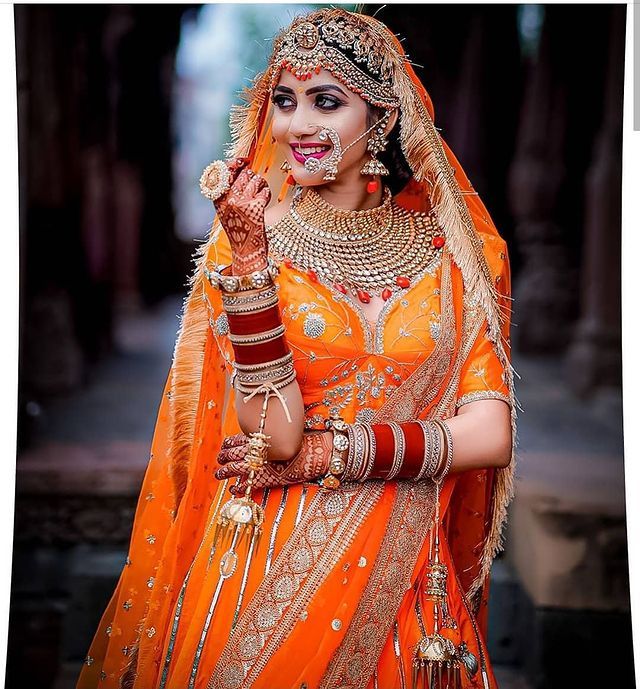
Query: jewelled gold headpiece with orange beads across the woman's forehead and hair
pixel 346 46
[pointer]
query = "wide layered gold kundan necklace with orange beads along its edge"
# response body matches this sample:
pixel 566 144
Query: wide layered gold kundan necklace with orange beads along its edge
pixel 377 249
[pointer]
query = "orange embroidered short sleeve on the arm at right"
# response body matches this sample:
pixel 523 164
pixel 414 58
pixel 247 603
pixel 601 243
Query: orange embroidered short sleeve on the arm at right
pixel 483 374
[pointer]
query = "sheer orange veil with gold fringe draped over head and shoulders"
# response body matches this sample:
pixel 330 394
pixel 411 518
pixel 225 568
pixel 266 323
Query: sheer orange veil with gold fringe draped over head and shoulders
pixel 179 493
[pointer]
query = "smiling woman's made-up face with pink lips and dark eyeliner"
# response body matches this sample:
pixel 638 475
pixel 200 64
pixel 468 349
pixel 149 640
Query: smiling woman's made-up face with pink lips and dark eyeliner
pixel 303 108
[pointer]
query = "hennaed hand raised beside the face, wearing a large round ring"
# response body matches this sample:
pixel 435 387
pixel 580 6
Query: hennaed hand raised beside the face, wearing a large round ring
pixel 241 213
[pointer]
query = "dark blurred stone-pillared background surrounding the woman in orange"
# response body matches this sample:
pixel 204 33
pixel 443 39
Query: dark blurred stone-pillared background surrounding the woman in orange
pixel 121 107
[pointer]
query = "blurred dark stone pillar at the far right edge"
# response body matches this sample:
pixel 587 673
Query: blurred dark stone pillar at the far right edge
pixel 594 358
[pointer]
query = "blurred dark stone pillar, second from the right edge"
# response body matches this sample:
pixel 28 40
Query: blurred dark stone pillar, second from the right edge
pixel 546 284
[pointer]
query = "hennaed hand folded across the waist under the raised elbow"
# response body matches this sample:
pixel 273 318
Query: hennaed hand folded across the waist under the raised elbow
pixel 311 462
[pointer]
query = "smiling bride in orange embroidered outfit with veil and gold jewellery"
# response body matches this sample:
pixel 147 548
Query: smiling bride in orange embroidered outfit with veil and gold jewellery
pixel 334 450
